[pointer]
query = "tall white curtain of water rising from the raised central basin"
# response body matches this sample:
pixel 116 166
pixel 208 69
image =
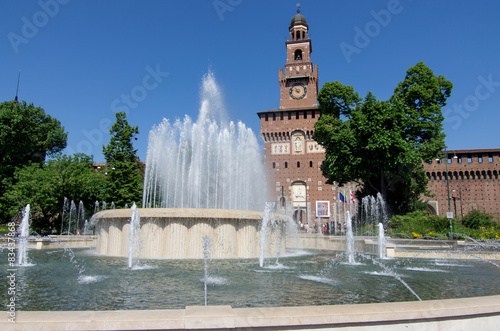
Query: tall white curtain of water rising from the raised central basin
pixel 210 163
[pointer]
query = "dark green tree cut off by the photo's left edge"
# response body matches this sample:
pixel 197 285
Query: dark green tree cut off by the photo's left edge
pixel 27 135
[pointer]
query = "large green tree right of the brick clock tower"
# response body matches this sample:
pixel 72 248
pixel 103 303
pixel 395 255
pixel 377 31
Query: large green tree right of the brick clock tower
pixel 381 144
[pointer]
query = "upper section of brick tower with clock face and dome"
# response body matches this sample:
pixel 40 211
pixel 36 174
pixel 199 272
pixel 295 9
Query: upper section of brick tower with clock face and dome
pixel 299 79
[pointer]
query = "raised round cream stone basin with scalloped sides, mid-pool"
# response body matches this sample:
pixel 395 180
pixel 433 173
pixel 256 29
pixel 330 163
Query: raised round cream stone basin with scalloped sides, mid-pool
pixel 177 233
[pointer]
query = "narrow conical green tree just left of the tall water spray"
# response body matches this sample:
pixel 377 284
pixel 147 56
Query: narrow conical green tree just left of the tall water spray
pixel 124 180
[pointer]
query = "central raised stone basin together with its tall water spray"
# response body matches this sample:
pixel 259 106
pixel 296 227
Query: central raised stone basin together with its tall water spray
pixel 202 178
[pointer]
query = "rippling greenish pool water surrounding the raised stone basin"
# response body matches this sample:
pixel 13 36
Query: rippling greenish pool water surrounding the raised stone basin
pixel 302 278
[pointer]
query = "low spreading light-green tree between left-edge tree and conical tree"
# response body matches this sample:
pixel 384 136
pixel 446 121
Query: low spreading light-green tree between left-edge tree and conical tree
pixel 44 187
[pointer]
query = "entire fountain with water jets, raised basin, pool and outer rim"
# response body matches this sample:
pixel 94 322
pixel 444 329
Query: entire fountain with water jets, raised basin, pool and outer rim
pixel 192 217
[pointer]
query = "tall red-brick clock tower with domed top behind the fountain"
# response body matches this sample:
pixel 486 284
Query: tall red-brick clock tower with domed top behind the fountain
pixel 292 158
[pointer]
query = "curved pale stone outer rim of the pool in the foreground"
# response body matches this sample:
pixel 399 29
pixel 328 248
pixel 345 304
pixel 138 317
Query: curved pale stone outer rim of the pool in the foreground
pixel 480 313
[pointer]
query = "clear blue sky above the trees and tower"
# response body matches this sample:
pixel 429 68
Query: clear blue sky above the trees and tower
pixel 80 59
